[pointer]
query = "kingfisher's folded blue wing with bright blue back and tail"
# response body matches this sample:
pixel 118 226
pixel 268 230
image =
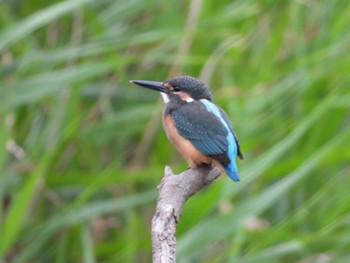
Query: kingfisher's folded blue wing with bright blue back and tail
pixel 205 126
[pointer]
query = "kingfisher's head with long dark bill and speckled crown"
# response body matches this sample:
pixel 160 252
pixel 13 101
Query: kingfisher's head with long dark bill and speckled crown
pixel 186 87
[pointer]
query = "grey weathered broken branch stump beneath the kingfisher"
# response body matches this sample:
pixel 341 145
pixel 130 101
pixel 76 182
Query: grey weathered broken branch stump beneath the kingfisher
pixel 174 190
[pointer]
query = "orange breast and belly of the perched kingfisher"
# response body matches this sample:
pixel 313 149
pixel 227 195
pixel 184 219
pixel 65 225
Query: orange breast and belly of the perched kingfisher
pixel 184 146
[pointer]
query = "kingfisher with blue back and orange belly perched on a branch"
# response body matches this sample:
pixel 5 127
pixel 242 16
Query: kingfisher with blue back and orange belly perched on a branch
pixel 200 130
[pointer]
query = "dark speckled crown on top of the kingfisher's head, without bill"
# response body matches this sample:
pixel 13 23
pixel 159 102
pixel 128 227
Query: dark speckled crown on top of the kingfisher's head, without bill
pixel 196 88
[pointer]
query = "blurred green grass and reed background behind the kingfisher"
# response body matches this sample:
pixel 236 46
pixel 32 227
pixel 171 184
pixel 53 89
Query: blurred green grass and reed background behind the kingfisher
pixel 82 150
